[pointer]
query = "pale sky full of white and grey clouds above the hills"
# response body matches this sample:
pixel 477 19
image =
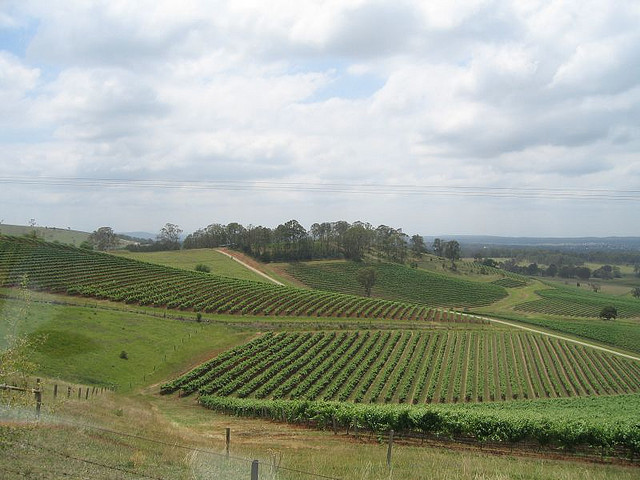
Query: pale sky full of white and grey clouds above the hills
pixel 441 117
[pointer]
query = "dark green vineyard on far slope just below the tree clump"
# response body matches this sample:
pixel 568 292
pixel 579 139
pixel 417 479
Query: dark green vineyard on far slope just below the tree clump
pixel 398 282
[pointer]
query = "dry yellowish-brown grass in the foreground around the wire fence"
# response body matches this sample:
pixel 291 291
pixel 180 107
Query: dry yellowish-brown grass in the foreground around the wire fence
pixel 43 450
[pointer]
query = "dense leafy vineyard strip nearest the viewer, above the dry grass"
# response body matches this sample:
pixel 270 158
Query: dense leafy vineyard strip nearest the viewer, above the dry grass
pixel 609 426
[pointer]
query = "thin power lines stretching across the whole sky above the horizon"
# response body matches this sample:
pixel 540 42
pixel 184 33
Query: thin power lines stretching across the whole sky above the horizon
pixel 326 187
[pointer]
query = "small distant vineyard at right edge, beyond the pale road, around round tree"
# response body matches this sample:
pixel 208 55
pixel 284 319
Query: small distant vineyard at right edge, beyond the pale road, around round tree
pixel 575 303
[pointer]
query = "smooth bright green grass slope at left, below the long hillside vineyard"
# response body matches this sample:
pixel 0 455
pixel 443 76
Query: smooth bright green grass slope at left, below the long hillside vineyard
pixel 83 344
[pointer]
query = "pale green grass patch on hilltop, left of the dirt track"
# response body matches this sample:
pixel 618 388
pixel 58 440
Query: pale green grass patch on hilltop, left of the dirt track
pixel 188 259
